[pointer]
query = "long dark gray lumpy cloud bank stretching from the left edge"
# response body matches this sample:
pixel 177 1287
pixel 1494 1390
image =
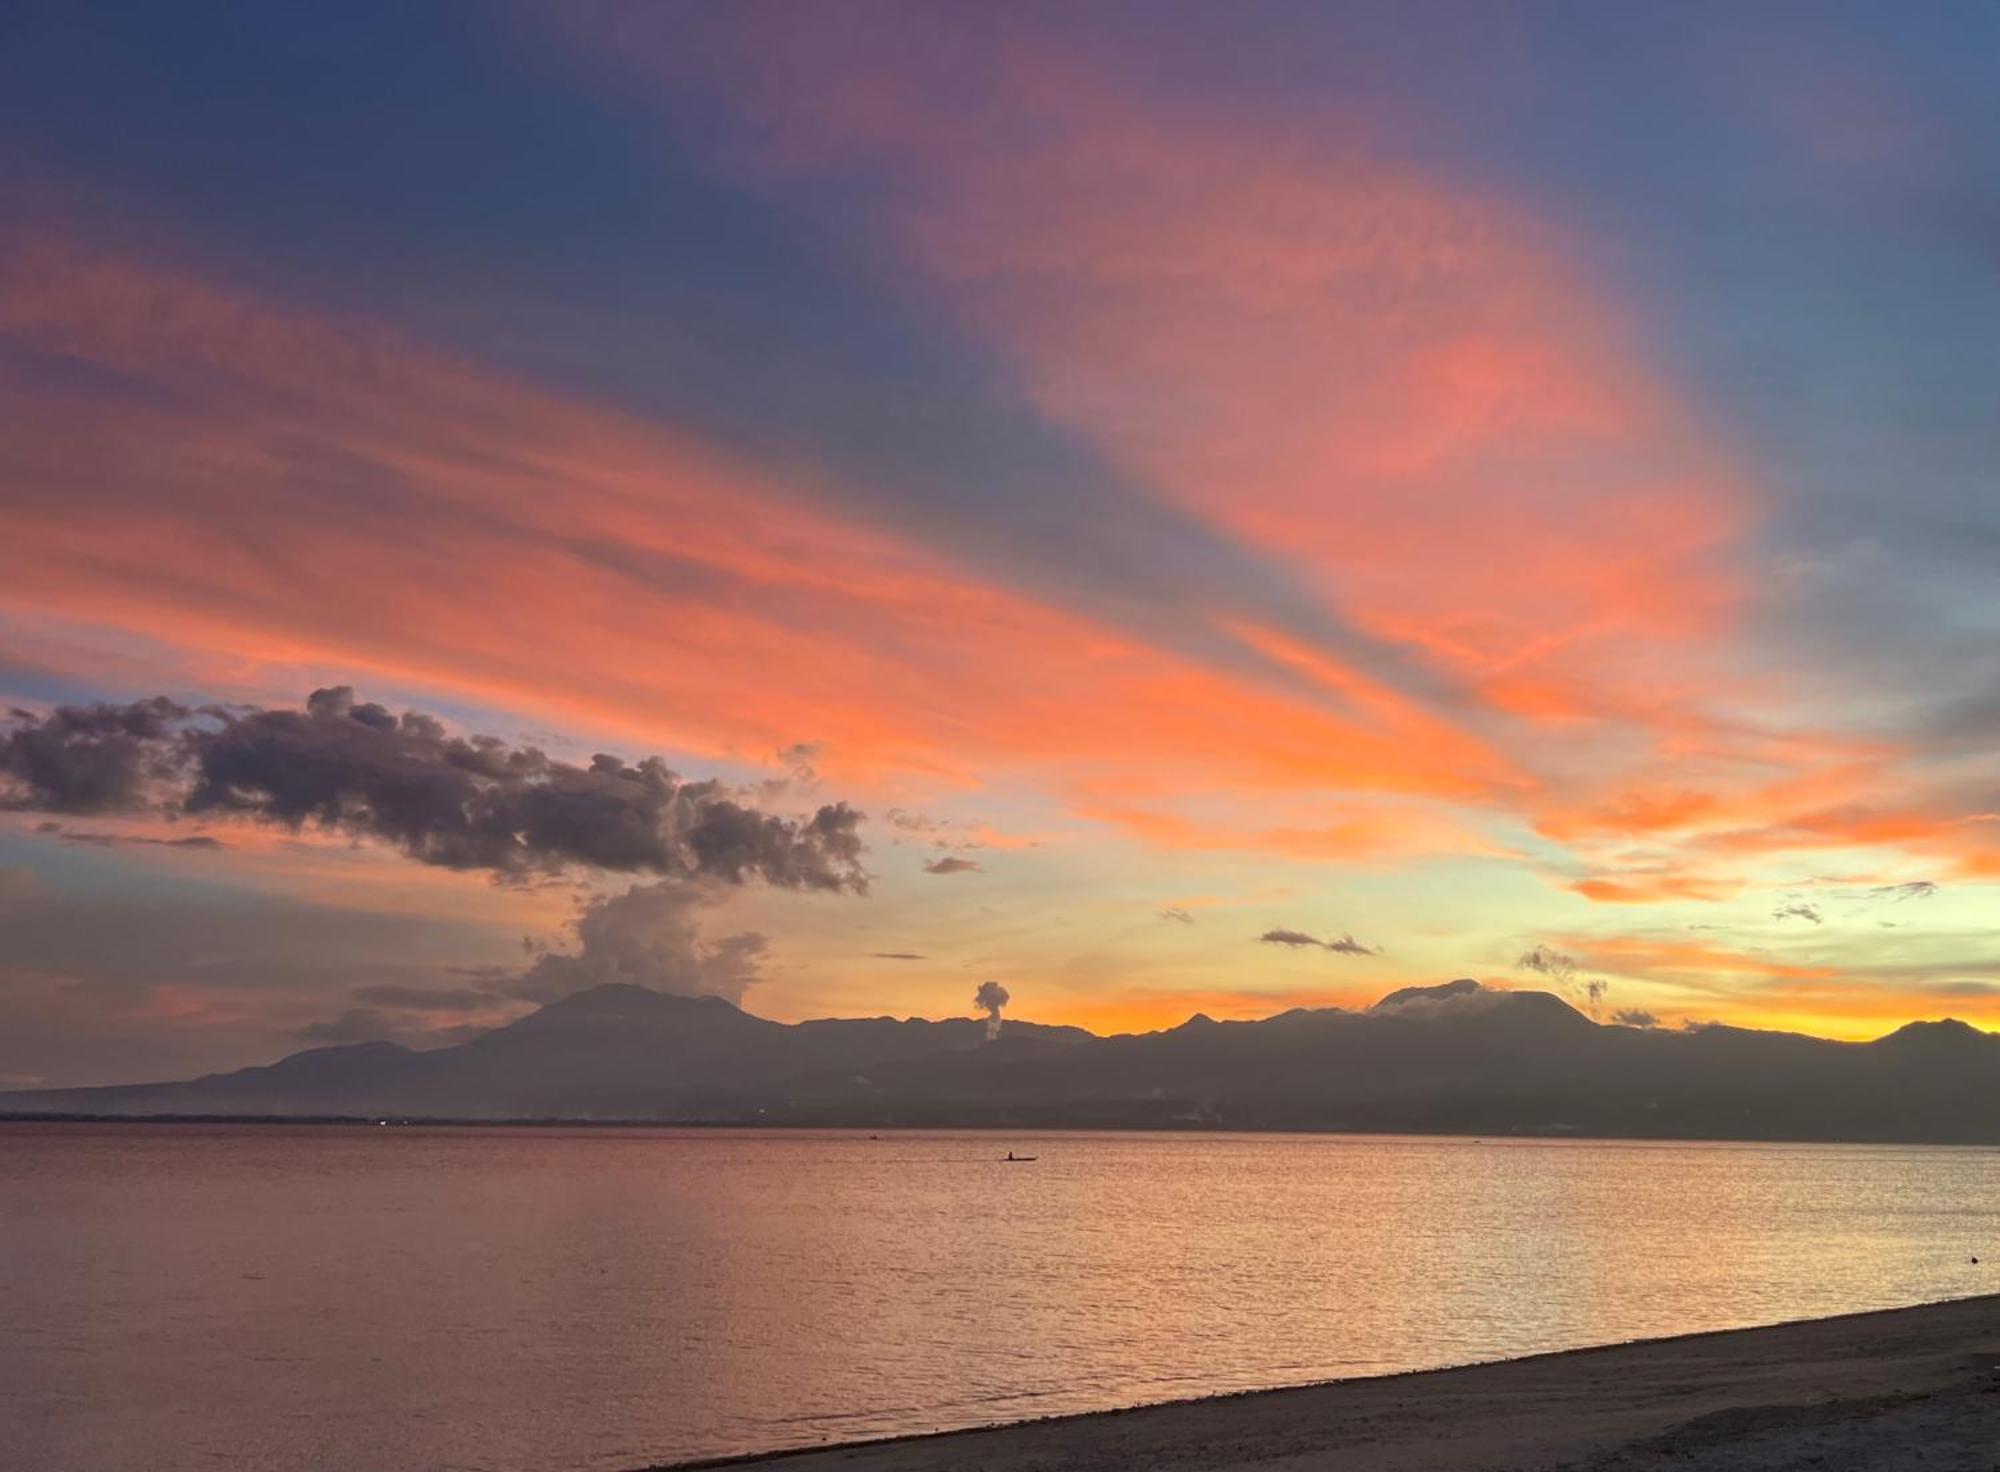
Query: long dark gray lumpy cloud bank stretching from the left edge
pixel 469 803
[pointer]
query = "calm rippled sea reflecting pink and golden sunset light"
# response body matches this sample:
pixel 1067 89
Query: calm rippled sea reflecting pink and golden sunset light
pixel 603 1299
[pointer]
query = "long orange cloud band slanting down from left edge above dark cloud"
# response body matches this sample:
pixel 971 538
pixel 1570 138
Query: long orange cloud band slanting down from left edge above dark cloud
pixel 341 499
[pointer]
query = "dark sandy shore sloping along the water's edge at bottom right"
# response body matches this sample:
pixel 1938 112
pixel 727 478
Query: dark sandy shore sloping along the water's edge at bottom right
pixel 1913 1389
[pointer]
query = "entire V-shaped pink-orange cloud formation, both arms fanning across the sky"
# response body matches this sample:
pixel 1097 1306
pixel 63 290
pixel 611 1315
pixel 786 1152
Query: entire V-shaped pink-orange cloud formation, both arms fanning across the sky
pixel 1411 395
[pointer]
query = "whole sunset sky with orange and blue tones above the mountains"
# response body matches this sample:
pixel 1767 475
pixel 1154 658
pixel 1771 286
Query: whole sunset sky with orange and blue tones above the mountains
pixel 1225 507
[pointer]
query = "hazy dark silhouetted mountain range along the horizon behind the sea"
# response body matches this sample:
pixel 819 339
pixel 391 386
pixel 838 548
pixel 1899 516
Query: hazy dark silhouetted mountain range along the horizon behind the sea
pixel 1427 1059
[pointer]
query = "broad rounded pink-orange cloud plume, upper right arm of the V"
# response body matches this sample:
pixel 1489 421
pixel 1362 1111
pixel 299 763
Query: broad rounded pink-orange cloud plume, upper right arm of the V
pixel 1409 389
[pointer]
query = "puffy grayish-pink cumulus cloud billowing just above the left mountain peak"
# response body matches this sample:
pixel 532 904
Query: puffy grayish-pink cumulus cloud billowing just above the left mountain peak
pixel 647 937
